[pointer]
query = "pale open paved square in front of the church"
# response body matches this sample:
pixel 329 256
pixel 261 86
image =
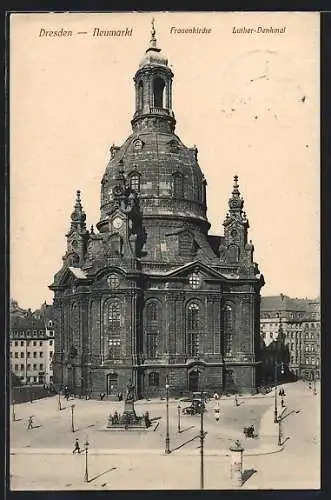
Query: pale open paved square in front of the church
pixel 136 459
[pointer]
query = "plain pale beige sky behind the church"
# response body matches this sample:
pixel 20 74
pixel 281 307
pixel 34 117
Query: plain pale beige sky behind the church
pixel 249 102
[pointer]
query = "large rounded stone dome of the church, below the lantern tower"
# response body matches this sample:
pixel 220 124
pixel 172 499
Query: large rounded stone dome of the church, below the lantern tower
pixel 164 172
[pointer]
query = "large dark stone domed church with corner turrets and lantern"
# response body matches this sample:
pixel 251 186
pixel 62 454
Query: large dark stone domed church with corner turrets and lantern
pixel 149 295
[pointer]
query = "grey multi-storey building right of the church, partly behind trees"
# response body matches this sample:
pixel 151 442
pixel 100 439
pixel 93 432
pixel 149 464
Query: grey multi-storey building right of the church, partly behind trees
pixel 294 325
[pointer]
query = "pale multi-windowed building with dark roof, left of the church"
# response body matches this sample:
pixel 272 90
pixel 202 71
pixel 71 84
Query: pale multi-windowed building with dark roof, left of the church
pixel 31 345
